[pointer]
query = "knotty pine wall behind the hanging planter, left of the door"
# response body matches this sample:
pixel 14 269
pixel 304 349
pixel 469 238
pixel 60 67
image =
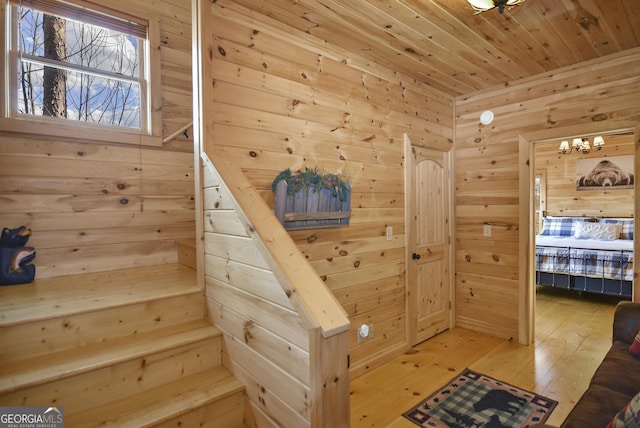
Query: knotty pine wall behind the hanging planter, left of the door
pixel 281 98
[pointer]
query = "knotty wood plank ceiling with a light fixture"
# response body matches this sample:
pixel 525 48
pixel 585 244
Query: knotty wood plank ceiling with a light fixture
pixel 443 44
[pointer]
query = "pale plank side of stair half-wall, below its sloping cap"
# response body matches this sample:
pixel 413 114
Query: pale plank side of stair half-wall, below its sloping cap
pixel 274 367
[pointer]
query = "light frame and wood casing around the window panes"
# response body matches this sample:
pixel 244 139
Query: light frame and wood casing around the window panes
pixel 151 132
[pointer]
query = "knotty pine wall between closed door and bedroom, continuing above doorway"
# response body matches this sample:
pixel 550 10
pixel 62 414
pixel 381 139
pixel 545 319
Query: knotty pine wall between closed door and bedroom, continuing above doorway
pixel 593 97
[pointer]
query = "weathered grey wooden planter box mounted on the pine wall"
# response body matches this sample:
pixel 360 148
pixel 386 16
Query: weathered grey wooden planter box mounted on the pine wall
pixel 311 208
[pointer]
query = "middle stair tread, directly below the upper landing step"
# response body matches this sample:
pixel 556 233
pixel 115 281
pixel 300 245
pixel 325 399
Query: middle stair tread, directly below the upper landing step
pixel 58 365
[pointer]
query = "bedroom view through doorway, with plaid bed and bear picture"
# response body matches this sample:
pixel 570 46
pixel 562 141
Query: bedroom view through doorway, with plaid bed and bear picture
pixel 571 203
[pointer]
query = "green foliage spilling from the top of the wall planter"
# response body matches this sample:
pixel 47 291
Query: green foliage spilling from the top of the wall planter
pixel 312 178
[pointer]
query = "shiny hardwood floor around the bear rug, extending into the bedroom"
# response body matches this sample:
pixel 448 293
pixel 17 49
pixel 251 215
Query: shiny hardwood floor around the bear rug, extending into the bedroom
pixel 573 333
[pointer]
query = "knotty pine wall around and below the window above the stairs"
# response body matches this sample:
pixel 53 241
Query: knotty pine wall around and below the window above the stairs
pixel 96 206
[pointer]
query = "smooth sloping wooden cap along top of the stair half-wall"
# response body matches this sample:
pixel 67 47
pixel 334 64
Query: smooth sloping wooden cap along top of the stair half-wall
pixel 316 304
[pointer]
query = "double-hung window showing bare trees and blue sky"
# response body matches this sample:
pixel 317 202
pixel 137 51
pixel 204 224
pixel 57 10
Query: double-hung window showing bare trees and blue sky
pixel 69 64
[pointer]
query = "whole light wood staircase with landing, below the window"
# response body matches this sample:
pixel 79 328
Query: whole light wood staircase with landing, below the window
pixel 124 348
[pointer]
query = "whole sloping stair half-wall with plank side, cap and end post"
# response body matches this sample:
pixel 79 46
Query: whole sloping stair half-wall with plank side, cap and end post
pixel 285 334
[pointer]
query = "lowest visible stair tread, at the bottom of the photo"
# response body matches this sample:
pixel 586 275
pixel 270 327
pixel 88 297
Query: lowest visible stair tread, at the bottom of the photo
pixel 163 403
